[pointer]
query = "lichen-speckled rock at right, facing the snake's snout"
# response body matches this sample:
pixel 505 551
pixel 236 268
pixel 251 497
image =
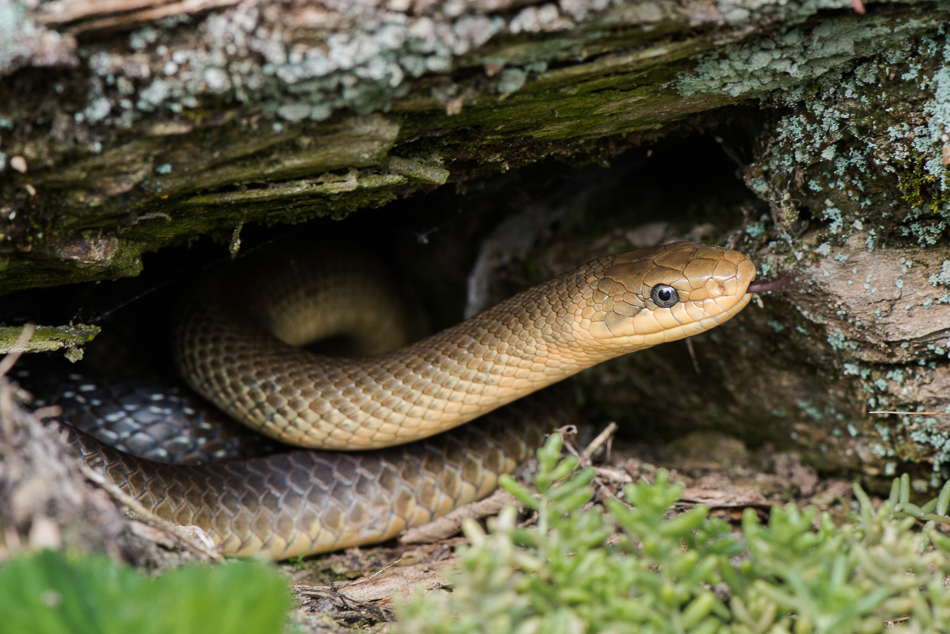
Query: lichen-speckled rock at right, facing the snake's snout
pixel 855 172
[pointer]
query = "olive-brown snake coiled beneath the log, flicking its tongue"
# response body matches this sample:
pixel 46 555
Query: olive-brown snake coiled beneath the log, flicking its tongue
pixel 393 439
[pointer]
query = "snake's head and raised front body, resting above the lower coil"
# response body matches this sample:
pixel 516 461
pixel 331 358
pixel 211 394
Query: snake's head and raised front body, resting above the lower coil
pixel 596 312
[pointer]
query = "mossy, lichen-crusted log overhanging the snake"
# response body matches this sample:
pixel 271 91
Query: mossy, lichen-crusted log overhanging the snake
pixel 125 130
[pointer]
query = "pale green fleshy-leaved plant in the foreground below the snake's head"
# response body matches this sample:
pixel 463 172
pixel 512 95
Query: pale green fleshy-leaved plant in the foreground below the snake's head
pixel 576 572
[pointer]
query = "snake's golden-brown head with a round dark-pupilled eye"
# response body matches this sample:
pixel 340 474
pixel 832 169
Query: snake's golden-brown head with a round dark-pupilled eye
pixel 667 292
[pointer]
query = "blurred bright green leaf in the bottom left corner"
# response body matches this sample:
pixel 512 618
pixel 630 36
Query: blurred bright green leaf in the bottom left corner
pixel 52 593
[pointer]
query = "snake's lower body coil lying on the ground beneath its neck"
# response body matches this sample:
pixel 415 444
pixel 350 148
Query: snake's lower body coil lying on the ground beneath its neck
pixel 312 501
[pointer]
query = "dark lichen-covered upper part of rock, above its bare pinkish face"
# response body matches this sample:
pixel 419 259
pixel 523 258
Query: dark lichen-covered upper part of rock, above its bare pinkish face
pixel 858 135
